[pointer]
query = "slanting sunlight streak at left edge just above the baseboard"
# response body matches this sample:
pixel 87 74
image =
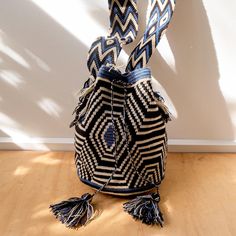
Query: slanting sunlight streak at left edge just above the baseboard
pixel 11 128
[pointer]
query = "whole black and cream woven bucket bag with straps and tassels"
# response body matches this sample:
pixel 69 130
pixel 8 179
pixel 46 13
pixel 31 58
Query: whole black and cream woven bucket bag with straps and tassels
pixel 120 121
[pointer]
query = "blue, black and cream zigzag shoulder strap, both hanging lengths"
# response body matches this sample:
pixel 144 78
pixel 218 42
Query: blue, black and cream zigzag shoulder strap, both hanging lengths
pixel 123 30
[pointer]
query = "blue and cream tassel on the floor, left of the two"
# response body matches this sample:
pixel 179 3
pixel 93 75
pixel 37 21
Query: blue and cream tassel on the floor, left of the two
pixel 74 211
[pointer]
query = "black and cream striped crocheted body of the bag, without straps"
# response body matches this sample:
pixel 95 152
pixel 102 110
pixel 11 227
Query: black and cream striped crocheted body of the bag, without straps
pixel 94 142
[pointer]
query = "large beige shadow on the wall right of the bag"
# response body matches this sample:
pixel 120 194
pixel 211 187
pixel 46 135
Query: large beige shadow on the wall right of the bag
pixel 194 87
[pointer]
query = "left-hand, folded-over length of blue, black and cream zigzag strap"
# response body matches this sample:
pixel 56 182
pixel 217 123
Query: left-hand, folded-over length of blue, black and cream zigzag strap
pixel 123 30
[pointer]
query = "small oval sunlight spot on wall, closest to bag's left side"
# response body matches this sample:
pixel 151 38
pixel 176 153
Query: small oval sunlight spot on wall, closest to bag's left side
pixel 50 107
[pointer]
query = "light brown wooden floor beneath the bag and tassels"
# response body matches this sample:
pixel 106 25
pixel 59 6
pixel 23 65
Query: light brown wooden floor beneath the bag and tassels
pixel 198 197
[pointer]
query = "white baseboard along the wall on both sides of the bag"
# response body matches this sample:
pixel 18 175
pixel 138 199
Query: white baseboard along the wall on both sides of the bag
pixel 67 144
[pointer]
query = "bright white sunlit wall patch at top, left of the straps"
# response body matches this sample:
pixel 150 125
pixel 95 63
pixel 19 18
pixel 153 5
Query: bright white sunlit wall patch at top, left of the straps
pixel 74 17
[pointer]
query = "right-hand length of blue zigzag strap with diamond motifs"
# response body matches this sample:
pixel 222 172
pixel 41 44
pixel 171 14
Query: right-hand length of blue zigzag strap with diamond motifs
pixel 160 14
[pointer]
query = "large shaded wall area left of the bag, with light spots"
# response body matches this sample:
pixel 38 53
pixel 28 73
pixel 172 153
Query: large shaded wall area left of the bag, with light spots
pixel 41 67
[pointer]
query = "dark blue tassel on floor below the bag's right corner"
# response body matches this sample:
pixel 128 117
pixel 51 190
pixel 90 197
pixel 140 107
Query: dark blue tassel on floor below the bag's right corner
pixel 146 209
